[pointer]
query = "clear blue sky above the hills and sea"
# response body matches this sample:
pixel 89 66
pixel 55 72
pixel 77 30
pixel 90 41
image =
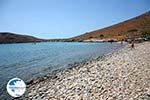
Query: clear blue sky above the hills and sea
pixel 65 18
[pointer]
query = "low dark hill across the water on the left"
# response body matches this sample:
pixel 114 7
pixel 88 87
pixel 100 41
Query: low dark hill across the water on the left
pixel 7 37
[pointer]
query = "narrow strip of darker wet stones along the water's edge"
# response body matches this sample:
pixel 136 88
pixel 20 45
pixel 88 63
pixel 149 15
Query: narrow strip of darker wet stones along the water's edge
pixel 68 67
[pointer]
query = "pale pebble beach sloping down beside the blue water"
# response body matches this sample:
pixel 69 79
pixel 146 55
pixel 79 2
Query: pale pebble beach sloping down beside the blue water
pixel 122 75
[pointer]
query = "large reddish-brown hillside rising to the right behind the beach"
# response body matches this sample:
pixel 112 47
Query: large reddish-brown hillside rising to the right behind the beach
pixel 126 29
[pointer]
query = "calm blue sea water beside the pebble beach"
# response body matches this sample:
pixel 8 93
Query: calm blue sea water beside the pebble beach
pixel 28 60
